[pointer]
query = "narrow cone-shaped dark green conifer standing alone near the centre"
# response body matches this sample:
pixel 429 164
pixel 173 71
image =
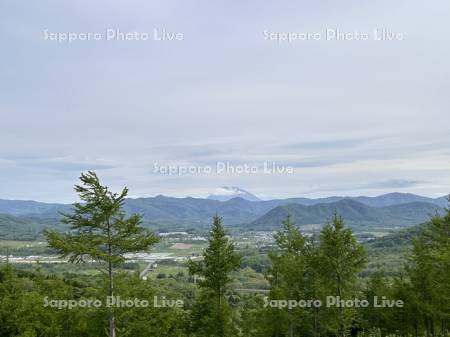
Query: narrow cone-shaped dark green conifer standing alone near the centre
pixel 211 316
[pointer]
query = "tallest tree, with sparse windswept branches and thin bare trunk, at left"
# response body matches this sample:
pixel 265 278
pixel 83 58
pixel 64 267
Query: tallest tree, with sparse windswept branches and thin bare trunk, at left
pixel 100 230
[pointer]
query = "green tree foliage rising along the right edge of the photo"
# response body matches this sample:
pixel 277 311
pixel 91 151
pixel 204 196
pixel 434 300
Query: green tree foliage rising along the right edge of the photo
pixel 424 288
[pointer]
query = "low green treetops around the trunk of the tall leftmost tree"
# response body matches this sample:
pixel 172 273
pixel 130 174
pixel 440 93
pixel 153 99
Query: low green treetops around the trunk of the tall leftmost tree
pixel 23 311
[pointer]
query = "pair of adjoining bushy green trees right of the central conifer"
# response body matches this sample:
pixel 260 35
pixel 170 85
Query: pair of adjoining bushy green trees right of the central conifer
pixel 312 269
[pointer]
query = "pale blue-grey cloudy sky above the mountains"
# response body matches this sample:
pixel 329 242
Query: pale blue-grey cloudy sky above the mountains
pixel 224 100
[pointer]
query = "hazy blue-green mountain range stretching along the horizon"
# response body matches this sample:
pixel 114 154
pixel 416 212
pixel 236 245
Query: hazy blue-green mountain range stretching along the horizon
pixel 160 212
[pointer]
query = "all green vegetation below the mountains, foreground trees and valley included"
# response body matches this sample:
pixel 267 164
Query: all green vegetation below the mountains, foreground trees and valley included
pixel 328 284
